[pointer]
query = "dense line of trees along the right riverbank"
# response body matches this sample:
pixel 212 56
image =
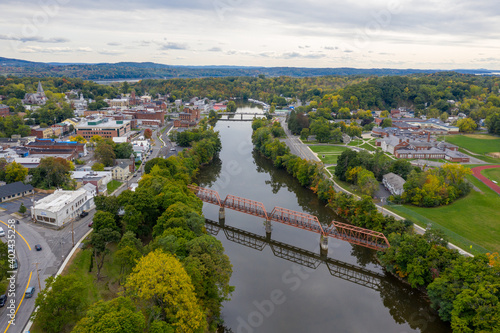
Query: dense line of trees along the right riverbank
pixel 464 290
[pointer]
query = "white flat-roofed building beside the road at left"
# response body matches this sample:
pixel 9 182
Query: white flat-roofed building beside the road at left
pixel 61 207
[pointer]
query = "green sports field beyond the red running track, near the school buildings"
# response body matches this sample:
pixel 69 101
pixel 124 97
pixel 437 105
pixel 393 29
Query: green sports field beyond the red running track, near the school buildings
pixel 481 144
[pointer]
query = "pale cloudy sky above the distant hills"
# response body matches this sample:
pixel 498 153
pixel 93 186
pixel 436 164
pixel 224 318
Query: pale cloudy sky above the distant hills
pixel 424 34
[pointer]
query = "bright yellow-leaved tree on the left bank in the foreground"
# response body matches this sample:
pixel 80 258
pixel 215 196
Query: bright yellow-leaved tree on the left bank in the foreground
pixel 160 280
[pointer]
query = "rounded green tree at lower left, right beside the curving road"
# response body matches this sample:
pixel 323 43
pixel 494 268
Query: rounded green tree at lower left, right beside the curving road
pixel 60 303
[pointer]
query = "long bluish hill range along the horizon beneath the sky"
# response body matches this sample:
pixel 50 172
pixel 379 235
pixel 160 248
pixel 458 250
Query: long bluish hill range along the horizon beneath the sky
pixel 150 70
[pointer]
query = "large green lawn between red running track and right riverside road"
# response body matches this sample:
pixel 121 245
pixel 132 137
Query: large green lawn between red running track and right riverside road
pixel 472 220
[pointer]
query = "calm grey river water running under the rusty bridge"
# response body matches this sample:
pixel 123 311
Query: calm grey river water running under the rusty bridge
pixel 282 284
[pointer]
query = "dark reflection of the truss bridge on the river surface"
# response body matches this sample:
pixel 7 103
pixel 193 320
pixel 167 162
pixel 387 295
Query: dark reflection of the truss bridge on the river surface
pixel 337 268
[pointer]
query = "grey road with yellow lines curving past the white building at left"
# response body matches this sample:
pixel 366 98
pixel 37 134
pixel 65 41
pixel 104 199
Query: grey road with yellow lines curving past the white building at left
pixel 56 244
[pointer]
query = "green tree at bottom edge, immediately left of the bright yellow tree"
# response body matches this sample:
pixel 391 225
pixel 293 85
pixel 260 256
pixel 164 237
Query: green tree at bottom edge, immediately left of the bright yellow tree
pixel 118 315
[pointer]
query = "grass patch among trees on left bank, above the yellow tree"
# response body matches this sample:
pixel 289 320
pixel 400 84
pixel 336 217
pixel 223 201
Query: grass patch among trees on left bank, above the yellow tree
pixel 106 288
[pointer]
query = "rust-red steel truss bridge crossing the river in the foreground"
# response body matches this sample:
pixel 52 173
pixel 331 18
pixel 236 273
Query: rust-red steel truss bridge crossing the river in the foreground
pixel 346 232
